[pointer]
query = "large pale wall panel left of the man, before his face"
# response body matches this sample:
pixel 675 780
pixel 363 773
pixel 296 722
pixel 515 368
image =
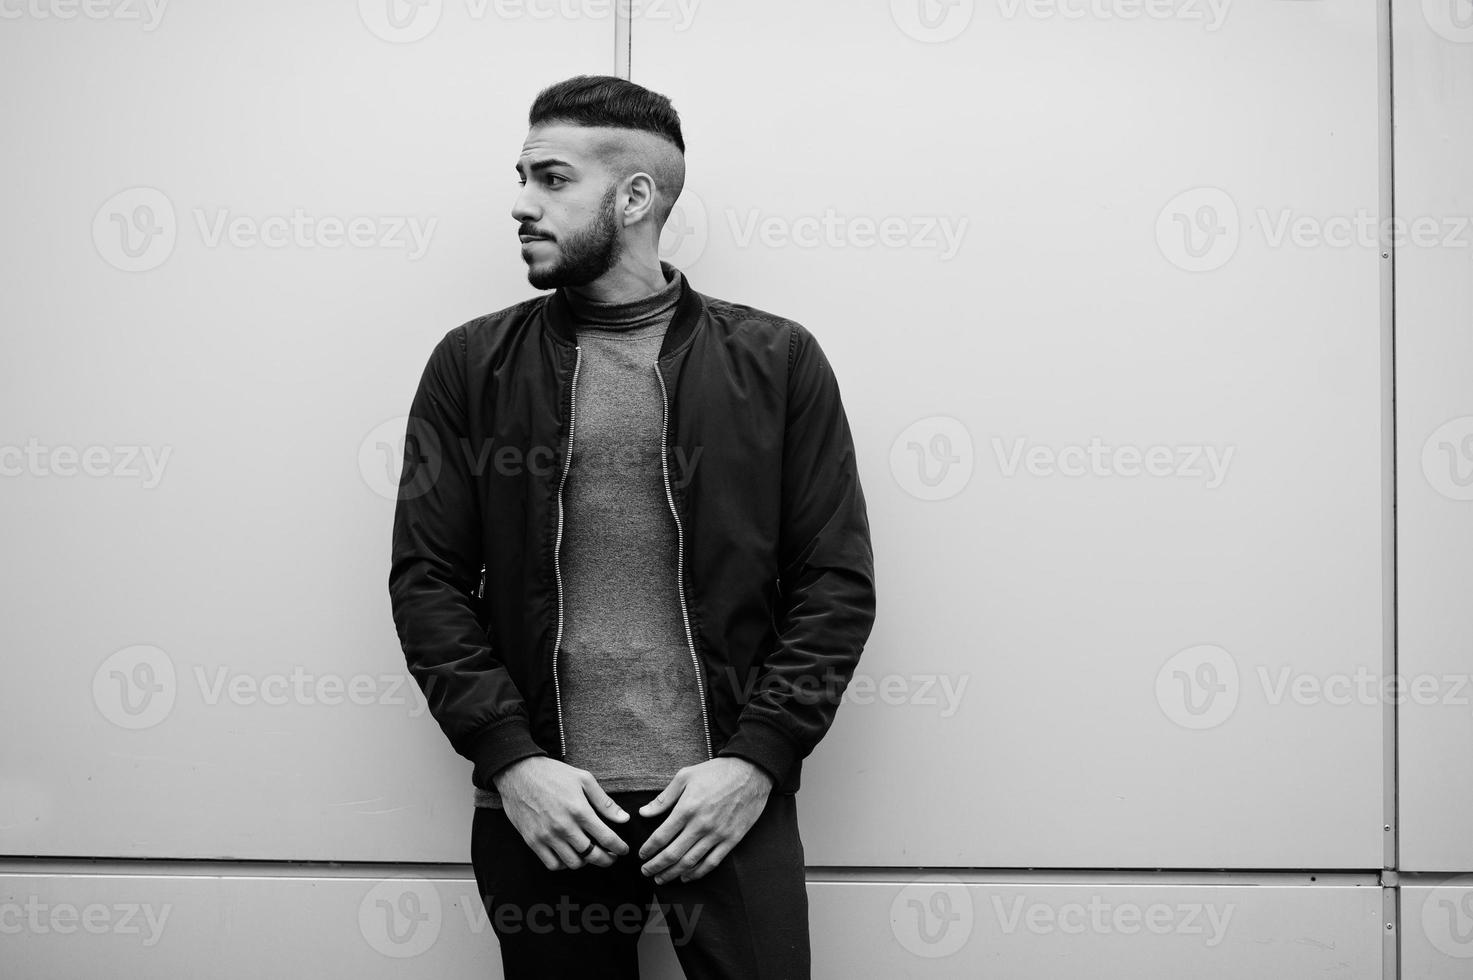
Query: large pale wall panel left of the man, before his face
pixel 211 257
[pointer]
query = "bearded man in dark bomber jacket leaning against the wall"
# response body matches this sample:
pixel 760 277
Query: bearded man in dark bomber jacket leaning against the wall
pixel 631 573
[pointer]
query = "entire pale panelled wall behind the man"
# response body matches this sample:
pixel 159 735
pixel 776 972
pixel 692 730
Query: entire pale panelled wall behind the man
pixel 1038 693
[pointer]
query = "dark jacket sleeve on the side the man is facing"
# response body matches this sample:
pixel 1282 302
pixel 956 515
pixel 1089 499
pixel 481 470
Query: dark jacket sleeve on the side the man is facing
pixel 435 568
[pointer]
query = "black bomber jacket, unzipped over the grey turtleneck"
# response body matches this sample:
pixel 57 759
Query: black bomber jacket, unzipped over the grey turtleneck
pixel 774 559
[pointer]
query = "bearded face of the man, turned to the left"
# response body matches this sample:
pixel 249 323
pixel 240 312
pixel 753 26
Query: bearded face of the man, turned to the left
pixel 566 209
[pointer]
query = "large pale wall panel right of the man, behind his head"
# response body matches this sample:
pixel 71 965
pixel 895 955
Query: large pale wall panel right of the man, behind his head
pixel 1042 245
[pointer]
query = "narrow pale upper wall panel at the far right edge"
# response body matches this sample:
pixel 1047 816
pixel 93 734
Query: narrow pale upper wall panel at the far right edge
pixel 1434 88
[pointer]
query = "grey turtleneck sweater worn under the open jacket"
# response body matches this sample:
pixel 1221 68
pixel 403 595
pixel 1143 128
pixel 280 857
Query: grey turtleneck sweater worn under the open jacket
pixel 631 707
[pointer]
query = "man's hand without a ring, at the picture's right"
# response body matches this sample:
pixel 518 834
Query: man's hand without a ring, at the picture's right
pixel 717 802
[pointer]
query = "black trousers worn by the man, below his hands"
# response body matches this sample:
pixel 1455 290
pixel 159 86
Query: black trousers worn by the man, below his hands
pixel 746 920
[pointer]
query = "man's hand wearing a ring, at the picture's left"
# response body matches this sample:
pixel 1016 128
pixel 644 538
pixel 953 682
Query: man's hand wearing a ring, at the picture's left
pixel 552 805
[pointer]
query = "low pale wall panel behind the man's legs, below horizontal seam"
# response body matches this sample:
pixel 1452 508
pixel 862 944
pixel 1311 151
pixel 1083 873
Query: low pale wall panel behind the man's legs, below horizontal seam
pixel 410 926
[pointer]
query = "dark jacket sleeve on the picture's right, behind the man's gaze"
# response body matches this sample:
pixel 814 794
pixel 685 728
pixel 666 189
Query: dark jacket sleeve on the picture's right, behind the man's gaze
pixel 827 598
